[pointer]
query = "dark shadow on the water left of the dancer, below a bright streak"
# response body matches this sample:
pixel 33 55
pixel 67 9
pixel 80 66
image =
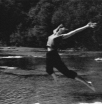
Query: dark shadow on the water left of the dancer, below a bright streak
pixel 24 63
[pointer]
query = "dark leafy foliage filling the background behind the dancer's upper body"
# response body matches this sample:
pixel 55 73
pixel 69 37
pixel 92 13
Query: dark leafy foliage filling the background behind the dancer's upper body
pixel 30 22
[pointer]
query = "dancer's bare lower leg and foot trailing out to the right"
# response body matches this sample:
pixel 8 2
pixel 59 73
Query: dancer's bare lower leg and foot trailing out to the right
pixel 87 83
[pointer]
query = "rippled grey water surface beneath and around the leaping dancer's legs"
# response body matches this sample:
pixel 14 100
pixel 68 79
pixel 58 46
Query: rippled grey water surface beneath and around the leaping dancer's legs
pixel 23 80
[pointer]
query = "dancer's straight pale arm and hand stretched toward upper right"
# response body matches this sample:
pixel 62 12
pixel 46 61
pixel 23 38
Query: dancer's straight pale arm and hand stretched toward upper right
pixel 90 24
